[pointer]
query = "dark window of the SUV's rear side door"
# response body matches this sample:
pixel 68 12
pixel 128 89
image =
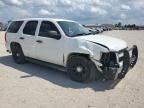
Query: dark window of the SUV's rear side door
pixel 30 27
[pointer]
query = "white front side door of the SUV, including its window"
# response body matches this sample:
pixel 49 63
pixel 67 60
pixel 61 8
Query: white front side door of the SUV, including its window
pixel 48 48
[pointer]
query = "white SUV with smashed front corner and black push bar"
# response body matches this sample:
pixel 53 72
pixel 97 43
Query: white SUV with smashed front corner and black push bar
pixel 67 43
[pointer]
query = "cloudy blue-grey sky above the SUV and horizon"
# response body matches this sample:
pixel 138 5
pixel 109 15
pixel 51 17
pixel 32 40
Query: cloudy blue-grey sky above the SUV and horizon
pixel 83 11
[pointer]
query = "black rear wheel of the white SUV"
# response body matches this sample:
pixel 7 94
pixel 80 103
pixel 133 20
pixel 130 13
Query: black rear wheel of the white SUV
pixel 18 55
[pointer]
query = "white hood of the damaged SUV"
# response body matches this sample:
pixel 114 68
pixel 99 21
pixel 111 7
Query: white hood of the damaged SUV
pixel 113 44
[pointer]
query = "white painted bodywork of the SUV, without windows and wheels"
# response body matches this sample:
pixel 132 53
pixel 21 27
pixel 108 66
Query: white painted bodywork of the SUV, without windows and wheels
pixel 57 51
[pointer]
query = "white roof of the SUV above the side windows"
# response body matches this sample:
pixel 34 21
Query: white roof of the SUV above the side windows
pixel 49 19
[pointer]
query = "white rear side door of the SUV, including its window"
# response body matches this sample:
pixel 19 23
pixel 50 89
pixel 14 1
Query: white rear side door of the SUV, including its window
pixel 28 38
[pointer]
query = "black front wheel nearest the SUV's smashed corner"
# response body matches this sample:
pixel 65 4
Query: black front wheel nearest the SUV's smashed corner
pixel 86 68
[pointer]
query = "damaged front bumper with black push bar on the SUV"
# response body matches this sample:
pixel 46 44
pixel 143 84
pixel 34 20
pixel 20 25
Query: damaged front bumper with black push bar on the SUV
pixel 125 62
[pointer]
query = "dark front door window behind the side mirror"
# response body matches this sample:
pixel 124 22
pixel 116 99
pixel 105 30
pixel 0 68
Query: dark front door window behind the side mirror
pixel 45 27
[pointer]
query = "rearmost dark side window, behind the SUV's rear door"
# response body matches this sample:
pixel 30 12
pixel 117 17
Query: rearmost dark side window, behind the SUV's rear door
pixel 14 26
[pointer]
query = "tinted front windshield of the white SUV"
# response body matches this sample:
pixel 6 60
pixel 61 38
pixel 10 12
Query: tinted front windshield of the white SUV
pixel 73 29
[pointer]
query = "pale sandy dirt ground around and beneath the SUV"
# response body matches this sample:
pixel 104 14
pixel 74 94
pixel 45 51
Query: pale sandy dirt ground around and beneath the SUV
pixel 34 86
